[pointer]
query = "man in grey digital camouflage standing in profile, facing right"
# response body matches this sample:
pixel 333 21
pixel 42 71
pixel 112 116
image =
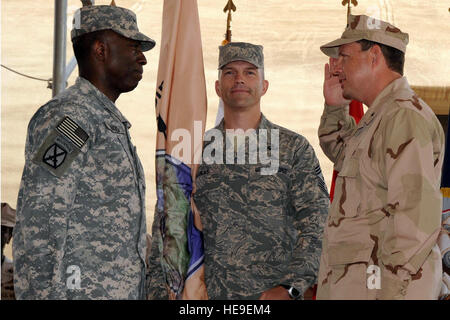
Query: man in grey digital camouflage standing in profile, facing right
pixel 81 229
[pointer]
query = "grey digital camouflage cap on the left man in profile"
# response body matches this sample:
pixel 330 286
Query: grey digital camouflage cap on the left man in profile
pixel 103 17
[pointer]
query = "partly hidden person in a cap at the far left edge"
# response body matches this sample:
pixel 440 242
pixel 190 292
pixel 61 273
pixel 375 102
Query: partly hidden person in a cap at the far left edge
pixel 8 222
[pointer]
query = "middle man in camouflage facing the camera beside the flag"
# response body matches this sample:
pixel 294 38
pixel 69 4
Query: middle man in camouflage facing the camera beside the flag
pixel 262 224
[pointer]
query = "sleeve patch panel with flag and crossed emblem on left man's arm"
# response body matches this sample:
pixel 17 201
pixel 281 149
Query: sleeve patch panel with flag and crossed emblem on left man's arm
pixel 61 147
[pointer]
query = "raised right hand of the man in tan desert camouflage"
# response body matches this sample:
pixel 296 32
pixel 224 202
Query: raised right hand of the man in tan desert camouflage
pixel 332 90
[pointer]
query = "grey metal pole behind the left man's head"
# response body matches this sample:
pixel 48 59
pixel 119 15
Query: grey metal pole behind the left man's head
pixel 59 47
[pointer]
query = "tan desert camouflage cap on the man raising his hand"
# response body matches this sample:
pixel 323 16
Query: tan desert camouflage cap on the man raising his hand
pixel 368 28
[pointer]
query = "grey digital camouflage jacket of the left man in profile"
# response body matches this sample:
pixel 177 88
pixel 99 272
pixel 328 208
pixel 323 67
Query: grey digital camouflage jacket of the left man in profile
pixel 93 216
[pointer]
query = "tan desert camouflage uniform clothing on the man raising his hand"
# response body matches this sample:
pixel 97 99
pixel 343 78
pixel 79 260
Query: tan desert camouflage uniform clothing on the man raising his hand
pixel 387 205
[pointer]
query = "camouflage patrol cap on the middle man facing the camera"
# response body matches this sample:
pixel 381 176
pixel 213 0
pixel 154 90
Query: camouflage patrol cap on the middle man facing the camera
pixel 241 51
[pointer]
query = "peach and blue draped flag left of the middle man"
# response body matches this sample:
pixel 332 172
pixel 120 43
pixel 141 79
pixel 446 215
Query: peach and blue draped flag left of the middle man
pixel 181 114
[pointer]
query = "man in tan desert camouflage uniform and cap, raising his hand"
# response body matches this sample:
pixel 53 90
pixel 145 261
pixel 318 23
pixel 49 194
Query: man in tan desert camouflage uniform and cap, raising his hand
pixel 380 237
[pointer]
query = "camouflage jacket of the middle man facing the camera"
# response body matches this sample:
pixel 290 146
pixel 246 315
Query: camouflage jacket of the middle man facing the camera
pixel 262 230
